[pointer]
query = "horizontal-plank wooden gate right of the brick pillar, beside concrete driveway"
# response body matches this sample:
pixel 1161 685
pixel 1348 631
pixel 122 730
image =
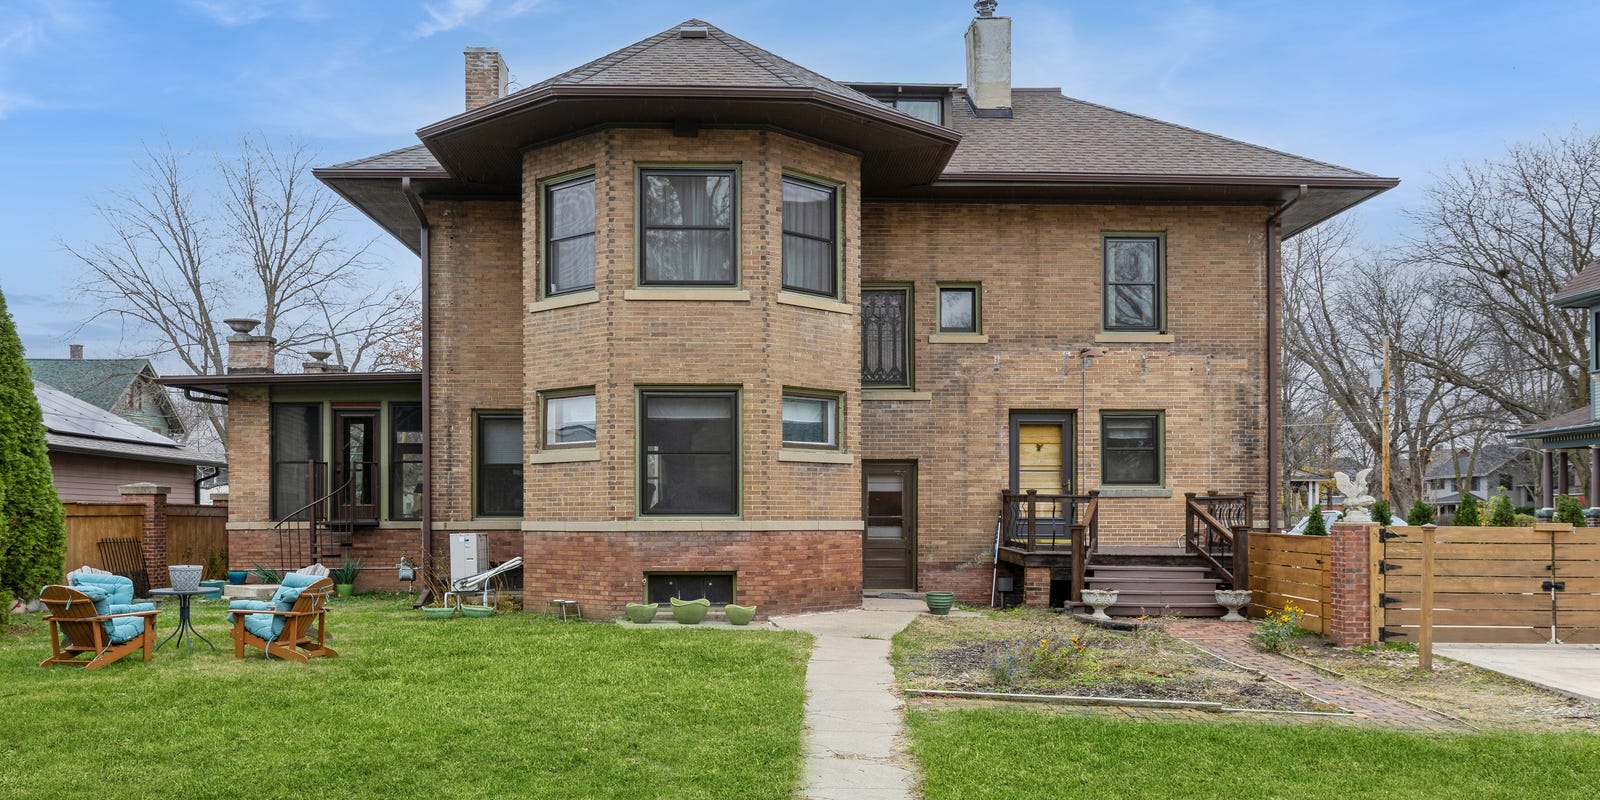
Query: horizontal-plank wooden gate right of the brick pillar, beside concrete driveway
pixel 1489 585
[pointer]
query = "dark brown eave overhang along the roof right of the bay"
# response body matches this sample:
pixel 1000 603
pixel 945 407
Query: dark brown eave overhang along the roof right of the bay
pixel 1326 198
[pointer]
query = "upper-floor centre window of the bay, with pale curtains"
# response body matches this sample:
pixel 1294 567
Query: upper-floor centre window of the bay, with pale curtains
pixel 687 218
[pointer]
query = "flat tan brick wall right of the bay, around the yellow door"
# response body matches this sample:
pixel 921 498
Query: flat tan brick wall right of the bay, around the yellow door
pixel 1041 271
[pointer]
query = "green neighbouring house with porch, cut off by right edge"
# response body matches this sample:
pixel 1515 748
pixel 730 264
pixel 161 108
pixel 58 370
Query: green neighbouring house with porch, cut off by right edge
pixel 1580 428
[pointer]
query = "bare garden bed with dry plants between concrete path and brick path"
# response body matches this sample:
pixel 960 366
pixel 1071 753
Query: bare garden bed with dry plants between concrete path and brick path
pixel 1031 652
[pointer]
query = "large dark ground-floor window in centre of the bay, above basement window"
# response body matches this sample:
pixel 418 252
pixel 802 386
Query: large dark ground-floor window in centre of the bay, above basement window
pixel 689 454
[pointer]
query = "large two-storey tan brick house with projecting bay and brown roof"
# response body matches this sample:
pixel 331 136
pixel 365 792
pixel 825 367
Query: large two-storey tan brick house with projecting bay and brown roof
pixel 703 321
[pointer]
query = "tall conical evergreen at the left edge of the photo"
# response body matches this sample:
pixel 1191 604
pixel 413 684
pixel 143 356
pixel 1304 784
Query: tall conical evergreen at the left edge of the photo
pixel 33 524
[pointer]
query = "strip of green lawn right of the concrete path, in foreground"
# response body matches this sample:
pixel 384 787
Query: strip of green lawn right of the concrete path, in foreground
pixel 975 754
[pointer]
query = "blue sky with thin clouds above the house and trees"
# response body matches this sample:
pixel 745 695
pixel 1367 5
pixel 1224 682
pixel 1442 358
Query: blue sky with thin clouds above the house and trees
pixel 1385 87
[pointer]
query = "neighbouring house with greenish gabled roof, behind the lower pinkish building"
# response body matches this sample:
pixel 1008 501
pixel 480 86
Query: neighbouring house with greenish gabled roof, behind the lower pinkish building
pixel 122 386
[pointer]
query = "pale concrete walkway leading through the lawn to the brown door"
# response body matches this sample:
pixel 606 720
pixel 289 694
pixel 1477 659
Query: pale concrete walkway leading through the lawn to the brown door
pixel 854 742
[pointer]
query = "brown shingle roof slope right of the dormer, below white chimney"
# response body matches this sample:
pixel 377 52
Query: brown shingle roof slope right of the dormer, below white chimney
pixel 1050 134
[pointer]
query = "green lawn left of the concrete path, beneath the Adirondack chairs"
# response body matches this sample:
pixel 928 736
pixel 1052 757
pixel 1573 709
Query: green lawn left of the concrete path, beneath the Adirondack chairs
pixel 511 706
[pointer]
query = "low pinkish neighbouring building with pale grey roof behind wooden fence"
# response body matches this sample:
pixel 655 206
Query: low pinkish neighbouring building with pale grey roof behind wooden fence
pixel 94 452
